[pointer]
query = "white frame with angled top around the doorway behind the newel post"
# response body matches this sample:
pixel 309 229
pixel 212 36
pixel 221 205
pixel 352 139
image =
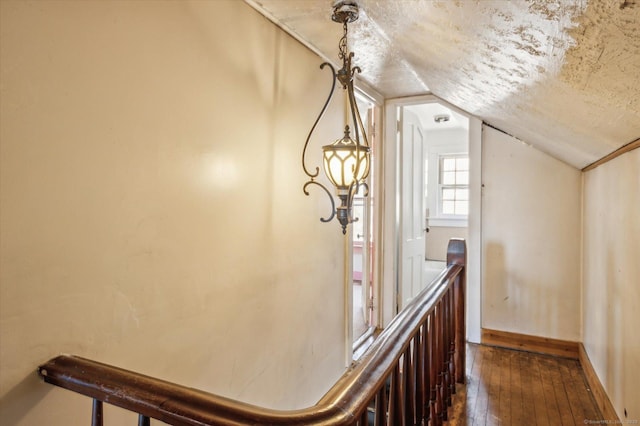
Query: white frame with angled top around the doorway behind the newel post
pixel 391 213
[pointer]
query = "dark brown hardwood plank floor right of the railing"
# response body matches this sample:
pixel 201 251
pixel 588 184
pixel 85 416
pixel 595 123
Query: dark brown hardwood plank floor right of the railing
pixel 508 387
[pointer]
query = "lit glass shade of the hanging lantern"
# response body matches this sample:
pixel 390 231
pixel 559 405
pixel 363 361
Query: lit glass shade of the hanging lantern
pixel 341 161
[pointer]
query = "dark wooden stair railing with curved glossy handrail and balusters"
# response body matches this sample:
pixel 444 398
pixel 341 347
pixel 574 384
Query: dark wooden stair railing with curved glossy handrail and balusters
pixel 406 376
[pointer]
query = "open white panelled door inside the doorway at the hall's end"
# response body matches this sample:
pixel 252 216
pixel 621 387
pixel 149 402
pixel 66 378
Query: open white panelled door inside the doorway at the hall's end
pixel 412 216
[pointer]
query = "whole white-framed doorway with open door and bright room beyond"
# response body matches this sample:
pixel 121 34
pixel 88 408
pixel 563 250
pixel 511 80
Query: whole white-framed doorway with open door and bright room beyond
pixel 432 184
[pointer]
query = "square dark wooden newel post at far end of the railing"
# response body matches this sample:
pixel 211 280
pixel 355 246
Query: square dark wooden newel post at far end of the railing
pixel 457 255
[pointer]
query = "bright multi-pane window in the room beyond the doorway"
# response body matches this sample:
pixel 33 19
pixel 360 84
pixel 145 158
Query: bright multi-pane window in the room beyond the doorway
pixel 453 185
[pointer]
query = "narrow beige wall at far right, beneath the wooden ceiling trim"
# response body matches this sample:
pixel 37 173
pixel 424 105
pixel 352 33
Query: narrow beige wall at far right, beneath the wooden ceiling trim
pixel 611 271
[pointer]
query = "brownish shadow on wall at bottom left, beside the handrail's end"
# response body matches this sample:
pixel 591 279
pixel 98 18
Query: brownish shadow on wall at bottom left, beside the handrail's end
pixel 22 398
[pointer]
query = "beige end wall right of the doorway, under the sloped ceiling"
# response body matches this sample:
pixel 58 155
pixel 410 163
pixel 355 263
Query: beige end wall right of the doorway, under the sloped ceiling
pixel 530 239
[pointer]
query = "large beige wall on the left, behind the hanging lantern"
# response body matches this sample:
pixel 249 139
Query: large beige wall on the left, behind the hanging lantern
pixel 152 207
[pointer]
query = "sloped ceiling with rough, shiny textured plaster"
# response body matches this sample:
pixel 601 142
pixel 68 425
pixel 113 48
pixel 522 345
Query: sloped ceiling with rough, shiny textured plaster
pixel 562 75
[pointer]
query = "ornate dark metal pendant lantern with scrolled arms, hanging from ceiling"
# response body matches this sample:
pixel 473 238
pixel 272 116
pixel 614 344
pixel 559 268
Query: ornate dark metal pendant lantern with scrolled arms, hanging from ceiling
pixel 346 161
